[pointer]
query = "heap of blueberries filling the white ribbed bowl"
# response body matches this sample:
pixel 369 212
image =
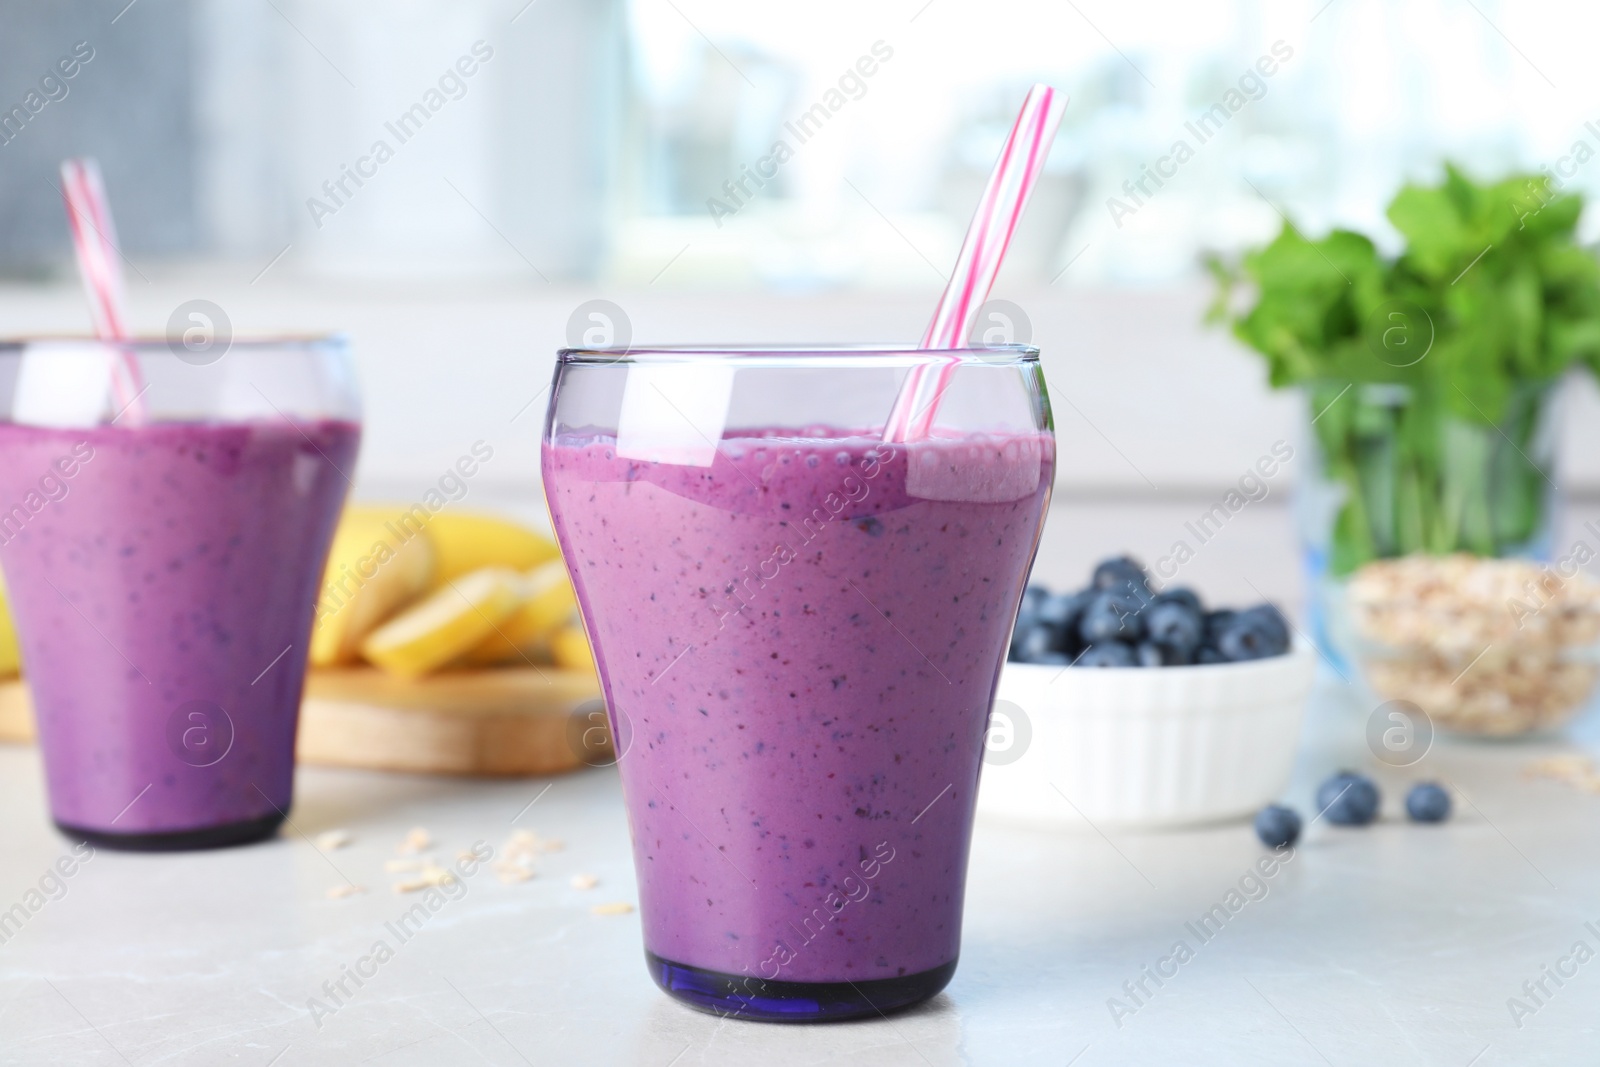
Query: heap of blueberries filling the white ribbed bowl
pixel 1119 621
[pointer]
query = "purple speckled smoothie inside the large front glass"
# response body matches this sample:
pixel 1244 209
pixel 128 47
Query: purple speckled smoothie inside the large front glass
pixel 801 644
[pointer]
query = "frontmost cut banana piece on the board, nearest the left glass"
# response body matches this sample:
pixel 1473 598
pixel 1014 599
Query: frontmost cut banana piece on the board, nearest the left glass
pixel 449 623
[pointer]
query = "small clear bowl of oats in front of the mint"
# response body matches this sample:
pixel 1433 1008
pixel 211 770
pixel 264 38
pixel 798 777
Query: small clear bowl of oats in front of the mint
pixel 1486 647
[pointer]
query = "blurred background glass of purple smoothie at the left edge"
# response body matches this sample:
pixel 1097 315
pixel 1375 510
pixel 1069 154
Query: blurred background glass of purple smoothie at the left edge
pixel 164 554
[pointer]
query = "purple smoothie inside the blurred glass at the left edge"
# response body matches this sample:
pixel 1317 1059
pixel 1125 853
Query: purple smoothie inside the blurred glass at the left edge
pixel 164 581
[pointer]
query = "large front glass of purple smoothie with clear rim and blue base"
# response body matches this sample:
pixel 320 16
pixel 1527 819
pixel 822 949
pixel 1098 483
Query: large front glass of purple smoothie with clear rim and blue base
pixel 799 629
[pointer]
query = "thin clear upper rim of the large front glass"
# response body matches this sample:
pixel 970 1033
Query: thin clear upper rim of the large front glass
pixel 865 356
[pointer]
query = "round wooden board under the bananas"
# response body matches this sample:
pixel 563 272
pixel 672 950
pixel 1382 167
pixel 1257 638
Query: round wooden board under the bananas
pixel 503 722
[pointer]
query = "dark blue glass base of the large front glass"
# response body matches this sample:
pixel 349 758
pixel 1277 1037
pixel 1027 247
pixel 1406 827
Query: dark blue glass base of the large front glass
pixel 767 1001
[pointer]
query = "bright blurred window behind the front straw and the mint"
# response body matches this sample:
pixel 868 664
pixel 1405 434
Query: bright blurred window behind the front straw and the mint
pixel 1193 126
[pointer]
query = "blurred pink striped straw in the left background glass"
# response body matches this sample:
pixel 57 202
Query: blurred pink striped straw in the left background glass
pixel 95 241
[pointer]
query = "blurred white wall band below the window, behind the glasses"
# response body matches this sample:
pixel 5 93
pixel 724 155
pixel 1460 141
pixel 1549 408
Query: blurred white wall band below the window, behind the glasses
pixel 1150 404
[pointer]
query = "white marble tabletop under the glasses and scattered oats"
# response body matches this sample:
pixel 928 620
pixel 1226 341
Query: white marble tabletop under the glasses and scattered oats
pixel 1396 945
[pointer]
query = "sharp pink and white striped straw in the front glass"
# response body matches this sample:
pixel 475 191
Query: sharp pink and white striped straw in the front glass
pixel 983 252
